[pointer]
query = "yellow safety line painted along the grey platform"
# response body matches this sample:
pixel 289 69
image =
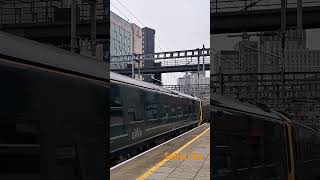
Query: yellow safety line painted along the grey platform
pixel 157 166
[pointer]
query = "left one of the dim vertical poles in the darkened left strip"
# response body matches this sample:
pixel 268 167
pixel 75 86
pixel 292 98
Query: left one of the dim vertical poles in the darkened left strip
pixel 73 25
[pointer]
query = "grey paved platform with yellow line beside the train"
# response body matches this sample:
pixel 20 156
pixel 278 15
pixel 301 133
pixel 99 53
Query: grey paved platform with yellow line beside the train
pixel 184 157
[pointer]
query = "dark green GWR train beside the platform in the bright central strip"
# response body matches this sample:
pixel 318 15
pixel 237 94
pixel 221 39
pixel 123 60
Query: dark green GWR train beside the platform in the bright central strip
pixel 144 114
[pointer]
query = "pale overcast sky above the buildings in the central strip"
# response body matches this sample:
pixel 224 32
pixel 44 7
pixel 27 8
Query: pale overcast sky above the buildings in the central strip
pixel 179 24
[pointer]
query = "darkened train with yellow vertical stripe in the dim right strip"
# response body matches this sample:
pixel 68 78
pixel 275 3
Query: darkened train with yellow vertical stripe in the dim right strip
pixel 252 142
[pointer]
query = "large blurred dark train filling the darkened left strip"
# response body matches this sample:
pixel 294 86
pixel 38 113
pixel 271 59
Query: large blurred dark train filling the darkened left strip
pixel 53 113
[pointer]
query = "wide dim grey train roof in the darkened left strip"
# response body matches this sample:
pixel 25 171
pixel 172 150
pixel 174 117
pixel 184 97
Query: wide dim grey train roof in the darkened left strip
pixel 37 53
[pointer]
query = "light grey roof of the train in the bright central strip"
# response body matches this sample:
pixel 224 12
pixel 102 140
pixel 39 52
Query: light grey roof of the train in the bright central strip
pixel 128 80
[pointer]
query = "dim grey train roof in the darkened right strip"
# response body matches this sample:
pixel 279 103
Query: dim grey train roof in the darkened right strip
pixel 232 103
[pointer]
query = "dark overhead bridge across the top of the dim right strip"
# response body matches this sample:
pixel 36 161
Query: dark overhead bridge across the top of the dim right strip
pixel 261 18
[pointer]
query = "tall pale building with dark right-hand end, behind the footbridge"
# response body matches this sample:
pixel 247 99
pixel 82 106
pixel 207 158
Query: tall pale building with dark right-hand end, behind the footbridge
pixel 128 39
